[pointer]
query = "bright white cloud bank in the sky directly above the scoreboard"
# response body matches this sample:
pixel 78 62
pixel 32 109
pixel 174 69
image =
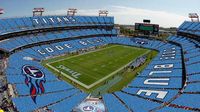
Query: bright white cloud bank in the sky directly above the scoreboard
pixel 129 15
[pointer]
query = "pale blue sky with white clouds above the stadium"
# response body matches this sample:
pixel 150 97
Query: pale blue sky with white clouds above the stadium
pixel 167 13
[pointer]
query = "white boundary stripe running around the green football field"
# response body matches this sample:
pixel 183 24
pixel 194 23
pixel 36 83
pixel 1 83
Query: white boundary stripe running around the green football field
pixel 95 83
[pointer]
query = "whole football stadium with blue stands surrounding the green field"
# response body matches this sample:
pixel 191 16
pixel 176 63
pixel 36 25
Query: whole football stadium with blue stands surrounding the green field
pixel 84 62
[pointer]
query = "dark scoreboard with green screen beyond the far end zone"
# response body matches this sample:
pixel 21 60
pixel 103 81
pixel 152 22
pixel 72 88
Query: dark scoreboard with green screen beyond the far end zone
pixel 147 28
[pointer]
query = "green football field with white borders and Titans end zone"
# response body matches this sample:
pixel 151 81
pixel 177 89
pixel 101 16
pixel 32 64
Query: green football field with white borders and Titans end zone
pixel 91 68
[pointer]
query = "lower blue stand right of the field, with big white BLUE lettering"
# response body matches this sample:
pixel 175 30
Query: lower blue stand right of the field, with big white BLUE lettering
pixel 137 102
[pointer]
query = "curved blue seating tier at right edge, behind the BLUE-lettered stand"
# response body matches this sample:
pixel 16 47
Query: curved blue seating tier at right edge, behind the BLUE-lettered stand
pixel 192 64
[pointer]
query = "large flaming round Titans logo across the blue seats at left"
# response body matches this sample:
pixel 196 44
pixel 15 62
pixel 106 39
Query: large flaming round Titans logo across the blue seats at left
pixel 34 79
